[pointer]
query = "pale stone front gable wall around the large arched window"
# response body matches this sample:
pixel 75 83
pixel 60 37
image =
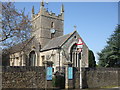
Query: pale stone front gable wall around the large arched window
pixel 69 43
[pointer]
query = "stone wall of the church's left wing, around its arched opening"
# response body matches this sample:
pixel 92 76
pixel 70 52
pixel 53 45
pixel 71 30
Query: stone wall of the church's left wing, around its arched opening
pixel 21 57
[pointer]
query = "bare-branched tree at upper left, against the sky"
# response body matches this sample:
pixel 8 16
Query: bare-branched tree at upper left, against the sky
pixel 16 26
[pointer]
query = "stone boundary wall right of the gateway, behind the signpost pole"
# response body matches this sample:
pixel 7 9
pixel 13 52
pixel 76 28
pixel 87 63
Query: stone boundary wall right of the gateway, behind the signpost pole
pixel 97 77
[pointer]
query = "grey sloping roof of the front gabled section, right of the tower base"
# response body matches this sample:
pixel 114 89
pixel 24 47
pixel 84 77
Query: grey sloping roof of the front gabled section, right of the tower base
pixel 57 42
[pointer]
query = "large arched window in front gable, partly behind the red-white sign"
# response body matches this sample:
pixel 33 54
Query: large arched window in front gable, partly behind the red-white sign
pixel 74 56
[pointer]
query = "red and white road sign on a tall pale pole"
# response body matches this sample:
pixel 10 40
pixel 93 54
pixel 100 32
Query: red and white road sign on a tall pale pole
pixel 79 49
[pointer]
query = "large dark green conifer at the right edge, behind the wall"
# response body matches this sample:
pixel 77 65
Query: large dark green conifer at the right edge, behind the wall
pixel 110 55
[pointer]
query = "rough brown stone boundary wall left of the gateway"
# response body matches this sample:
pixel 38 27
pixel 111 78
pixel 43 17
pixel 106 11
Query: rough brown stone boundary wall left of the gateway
pixel 23 77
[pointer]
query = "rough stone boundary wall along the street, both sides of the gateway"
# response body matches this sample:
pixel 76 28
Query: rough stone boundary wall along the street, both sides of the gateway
pixel 35 77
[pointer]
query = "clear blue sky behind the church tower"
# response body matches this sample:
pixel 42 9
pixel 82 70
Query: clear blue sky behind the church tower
pixel 95 21
